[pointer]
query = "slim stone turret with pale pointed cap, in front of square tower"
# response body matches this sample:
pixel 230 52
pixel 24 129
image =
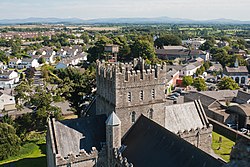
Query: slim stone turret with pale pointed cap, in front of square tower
pixel 113 136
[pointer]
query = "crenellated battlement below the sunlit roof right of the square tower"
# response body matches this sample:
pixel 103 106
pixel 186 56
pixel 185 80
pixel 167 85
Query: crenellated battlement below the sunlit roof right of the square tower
pixel 193 132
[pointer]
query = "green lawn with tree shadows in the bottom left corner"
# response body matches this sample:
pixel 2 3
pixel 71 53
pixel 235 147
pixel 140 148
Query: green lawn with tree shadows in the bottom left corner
pixel 31 154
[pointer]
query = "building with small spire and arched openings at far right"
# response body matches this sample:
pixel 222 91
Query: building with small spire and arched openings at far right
pixel 237 73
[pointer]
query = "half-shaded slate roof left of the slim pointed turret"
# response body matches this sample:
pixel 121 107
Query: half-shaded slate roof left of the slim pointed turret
pixel 79 134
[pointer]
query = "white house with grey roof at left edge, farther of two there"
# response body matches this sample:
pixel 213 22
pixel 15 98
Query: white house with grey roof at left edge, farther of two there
pixel 8 78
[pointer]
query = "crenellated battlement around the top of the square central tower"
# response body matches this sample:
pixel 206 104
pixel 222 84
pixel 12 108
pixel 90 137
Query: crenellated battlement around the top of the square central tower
pixel 136 71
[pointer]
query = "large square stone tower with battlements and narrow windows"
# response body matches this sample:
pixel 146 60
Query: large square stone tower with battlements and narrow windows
pixel 131 90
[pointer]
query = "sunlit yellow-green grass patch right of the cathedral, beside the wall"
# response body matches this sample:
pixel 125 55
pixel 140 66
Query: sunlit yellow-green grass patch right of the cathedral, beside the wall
pixel 222 148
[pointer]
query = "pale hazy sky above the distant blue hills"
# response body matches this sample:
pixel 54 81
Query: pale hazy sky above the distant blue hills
pixel 90 9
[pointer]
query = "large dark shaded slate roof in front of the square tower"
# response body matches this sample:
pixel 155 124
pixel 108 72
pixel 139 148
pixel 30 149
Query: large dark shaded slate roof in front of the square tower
pixel 148 144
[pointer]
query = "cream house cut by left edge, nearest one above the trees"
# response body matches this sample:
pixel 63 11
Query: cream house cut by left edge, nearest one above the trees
pixel 7 102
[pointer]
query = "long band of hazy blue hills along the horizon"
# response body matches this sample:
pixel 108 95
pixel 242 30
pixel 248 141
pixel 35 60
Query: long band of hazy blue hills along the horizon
pixel 156 20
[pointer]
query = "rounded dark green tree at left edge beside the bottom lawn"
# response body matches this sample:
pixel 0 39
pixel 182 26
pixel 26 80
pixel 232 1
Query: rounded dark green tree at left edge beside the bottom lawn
pixel 10 142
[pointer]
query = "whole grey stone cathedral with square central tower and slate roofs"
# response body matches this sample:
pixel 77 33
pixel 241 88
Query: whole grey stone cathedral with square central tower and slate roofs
pixel 131 123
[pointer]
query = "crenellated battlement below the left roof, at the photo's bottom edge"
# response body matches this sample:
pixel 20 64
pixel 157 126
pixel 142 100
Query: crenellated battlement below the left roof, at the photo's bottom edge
pixel 82 156
